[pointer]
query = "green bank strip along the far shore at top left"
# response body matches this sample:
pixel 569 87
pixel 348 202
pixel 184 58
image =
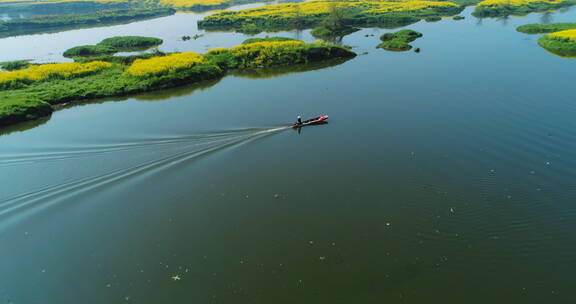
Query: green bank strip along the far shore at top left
pixel 71 21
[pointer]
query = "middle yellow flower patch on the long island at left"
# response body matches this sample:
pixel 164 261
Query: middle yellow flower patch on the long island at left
pixel 164 64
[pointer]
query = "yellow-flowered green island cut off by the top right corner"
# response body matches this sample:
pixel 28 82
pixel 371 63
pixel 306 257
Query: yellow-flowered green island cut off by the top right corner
pixel 500 8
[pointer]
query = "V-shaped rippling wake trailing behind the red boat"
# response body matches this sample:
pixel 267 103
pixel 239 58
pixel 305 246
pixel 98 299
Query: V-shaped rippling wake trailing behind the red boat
pixel 166 152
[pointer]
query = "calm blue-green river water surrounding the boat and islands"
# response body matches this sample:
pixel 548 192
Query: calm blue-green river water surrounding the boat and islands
pixel 446 176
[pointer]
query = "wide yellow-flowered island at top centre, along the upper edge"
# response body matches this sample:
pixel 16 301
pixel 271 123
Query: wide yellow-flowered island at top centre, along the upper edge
pixel 315 13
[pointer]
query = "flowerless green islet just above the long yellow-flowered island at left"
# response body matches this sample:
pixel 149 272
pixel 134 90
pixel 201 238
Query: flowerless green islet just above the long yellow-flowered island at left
pixel 113 45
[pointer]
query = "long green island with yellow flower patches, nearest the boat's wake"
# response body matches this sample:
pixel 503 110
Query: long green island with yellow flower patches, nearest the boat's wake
pixel 32 92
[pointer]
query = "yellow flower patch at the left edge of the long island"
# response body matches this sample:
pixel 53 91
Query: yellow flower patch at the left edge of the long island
pixel 36 73
